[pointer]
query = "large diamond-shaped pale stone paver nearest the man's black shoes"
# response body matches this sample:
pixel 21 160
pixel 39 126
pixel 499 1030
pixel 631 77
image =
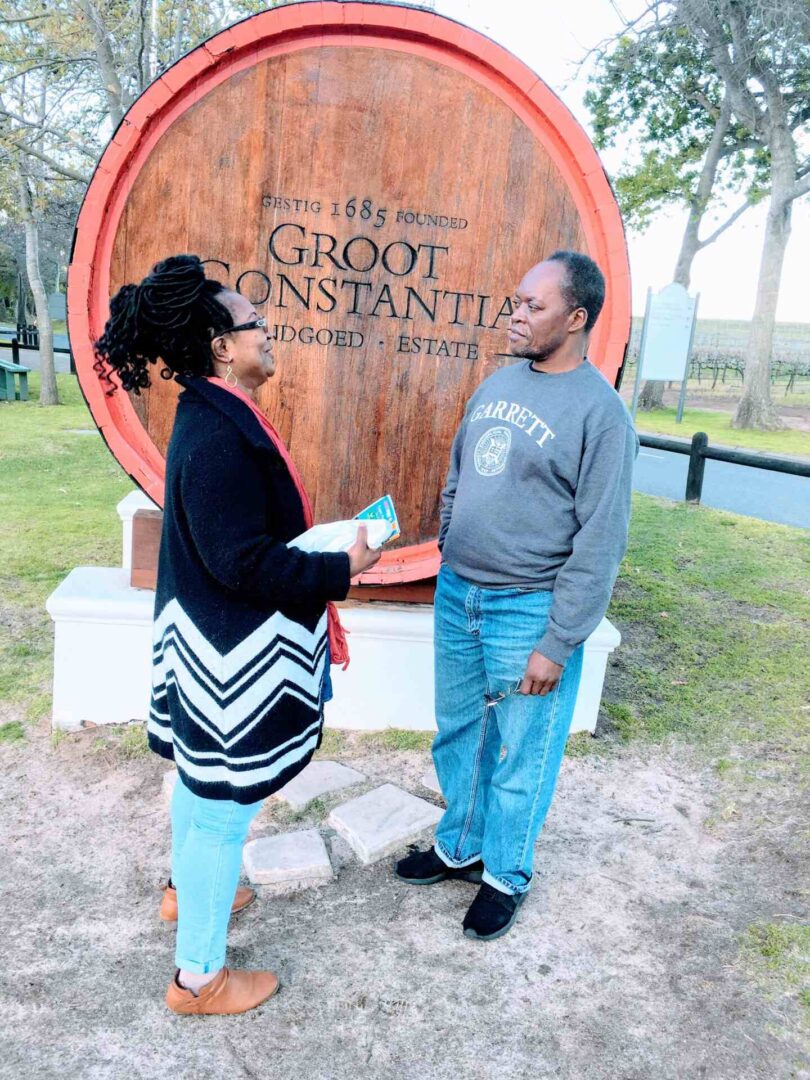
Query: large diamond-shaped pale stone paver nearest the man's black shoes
pixel 383 821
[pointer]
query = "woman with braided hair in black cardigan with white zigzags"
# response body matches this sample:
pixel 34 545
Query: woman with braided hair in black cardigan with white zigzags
pixel 244 626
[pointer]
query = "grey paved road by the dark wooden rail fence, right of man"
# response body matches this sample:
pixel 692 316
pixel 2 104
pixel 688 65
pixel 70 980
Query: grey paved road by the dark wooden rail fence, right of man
pixel 775 497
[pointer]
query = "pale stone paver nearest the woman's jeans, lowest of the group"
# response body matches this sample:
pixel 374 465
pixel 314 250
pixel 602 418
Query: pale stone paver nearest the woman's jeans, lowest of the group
pixel 289 862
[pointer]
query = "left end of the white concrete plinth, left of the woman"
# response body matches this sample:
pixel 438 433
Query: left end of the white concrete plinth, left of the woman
pixel 103 650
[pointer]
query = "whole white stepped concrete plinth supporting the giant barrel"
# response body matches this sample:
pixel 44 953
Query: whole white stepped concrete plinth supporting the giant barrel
pixel 103 658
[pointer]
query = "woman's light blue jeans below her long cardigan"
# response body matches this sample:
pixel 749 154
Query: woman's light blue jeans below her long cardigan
pixel 208 838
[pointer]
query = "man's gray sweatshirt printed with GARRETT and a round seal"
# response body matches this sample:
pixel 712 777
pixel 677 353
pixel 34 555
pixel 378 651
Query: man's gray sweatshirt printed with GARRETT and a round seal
pixel 538 494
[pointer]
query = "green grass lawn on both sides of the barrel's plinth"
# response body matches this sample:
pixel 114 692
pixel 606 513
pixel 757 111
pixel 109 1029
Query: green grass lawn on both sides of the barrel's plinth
pixel 714 609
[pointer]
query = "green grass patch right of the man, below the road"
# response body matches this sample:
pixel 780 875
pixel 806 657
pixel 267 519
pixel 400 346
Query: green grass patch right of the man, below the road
pixel 715 613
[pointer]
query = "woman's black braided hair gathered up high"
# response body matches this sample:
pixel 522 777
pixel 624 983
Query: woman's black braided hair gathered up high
pixel 171 316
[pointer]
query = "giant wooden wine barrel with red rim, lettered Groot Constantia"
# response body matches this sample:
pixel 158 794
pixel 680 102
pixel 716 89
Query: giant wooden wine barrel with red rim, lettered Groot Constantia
pixel 376 180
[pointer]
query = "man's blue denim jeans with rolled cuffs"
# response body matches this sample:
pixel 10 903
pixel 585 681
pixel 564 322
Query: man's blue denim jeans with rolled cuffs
pixel 497 763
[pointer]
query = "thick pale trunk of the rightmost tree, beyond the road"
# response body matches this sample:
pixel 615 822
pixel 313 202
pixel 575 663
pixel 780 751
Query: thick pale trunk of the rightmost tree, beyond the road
pixel 755 409
